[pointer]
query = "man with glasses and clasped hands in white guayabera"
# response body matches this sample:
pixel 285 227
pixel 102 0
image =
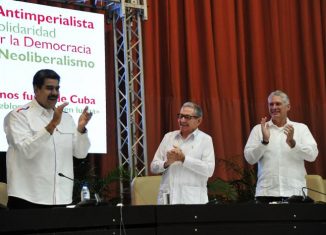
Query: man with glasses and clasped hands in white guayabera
pixel 186 159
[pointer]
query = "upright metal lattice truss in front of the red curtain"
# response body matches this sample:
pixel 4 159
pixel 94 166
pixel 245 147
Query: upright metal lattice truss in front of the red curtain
pixel 126 17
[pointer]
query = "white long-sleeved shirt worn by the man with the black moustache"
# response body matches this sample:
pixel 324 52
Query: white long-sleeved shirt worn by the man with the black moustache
pixel 35 157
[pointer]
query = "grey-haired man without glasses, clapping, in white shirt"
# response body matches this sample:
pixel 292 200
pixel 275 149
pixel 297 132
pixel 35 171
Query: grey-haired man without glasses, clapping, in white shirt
pixel 280 147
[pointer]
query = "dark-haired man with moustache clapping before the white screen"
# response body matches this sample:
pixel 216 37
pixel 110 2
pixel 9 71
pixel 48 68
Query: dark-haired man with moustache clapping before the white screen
pixel 42 141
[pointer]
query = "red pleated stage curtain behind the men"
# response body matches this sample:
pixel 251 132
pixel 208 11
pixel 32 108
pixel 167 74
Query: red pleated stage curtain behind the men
pixel 227 56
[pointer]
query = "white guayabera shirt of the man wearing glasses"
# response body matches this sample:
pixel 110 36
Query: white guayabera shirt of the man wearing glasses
pixel 186 182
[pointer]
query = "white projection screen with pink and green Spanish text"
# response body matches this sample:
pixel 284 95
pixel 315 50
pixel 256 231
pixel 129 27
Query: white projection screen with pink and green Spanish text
pixel 71 42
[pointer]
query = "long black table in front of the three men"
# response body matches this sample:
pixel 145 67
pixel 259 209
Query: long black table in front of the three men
pixel 260 219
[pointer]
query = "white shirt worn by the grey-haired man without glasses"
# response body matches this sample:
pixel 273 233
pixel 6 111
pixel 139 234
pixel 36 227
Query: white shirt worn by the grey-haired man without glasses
pixel 281 170
